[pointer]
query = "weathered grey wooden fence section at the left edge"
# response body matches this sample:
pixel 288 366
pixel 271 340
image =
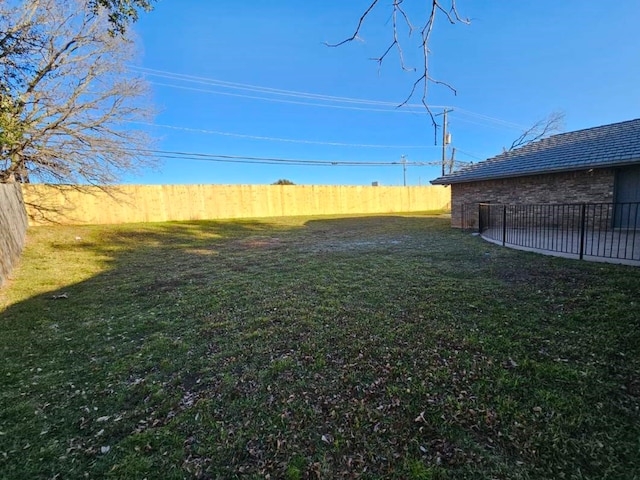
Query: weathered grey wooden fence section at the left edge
pixel 13 227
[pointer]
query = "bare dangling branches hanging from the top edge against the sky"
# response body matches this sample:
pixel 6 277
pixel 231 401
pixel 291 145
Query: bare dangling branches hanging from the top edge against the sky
pixel 400 17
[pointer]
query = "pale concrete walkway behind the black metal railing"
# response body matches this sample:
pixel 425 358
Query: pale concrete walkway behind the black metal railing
pixel 618 246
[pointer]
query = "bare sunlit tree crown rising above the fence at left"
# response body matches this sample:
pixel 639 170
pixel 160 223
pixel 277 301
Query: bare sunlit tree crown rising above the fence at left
pixel 66 106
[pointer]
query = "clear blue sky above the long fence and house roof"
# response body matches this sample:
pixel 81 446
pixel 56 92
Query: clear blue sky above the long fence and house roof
pixel 253 79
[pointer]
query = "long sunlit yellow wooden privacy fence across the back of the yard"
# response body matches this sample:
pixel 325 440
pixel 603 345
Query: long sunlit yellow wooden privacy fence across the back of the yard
pixel 158 203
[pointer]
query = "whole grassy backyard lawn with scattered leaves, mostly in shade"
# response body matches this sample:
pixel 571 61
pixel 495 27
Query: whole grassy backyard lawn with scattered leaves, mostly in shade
pixel 314 348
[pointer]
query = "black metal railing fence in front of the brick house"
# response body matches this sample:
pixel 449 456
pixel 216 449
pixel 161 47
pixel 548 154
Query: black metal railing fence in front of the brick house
pixel 606 230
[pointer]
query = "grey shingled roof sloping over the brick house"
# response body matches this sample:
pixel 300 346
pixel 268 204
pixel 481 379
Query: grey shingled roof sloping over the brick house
pixel 612 145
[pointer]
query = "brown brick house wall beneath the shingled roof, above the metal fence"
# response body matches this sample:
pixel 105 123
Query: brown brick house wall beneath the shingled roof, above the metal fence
pixel 585 186
